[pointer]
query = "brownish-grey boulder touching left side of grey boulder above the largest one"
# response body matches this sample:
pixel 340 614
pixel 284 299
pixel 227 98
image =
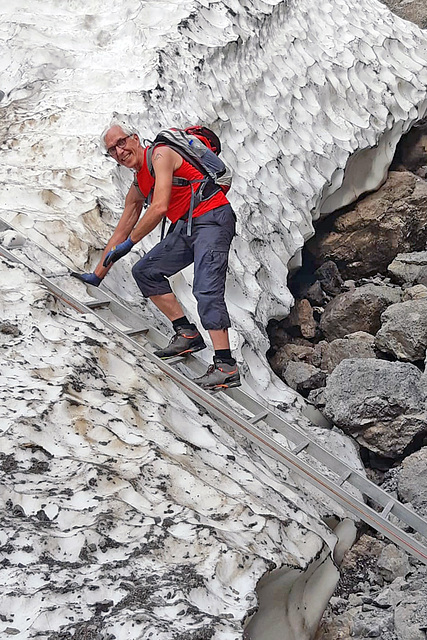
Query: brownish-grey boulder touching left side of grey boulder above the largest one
pixel 357 310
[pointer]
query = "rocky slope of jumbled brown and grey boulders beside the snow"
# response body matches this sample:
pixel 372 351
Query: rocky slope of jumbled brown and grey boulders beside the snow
pixel 355 343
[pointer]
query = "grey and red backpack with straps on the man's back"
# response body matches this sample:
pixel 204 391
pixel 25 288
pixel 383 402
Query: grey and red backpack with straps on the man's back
pixel 200 147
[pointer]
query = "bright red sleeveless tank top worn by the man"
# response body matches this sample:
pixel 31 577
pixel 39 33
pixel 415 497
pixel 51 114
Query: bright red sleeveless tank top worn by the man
pixel 180 198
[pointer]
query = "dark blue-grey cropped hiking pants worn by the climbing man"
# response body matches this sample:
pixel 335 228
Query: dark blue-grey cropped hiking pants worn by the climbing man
pixel 208 247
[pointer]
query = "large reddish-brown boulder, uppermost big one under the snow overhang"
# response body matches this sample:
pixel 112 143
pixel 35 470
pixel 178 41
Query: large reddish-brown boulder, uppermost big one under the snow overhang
pixel 364 240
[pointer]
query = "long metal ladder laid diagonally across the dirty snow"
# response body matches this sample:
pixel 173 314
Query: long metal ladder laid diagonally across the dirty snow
pixel 245 416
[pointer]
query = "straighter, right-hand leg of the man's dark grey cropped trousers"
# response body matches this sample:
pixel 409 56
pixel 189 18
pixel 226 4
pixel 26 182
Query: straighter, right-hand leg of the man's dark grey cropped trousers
pixel 213 233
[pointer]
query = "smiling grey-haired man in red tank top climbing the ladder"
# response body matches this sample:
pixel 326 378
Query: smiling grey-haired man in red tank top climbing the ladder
pixel 213 228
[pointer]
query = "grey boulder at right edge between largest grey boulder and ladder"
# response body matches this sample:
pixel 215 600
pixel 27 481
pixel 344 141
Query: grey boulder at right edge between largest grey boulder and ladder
pixel 412 481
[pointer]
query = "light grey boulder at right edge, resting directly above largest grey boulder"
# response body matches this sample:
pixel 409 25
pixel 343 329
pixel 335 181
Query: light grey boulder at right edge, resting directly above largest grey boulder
pixel 404 330
